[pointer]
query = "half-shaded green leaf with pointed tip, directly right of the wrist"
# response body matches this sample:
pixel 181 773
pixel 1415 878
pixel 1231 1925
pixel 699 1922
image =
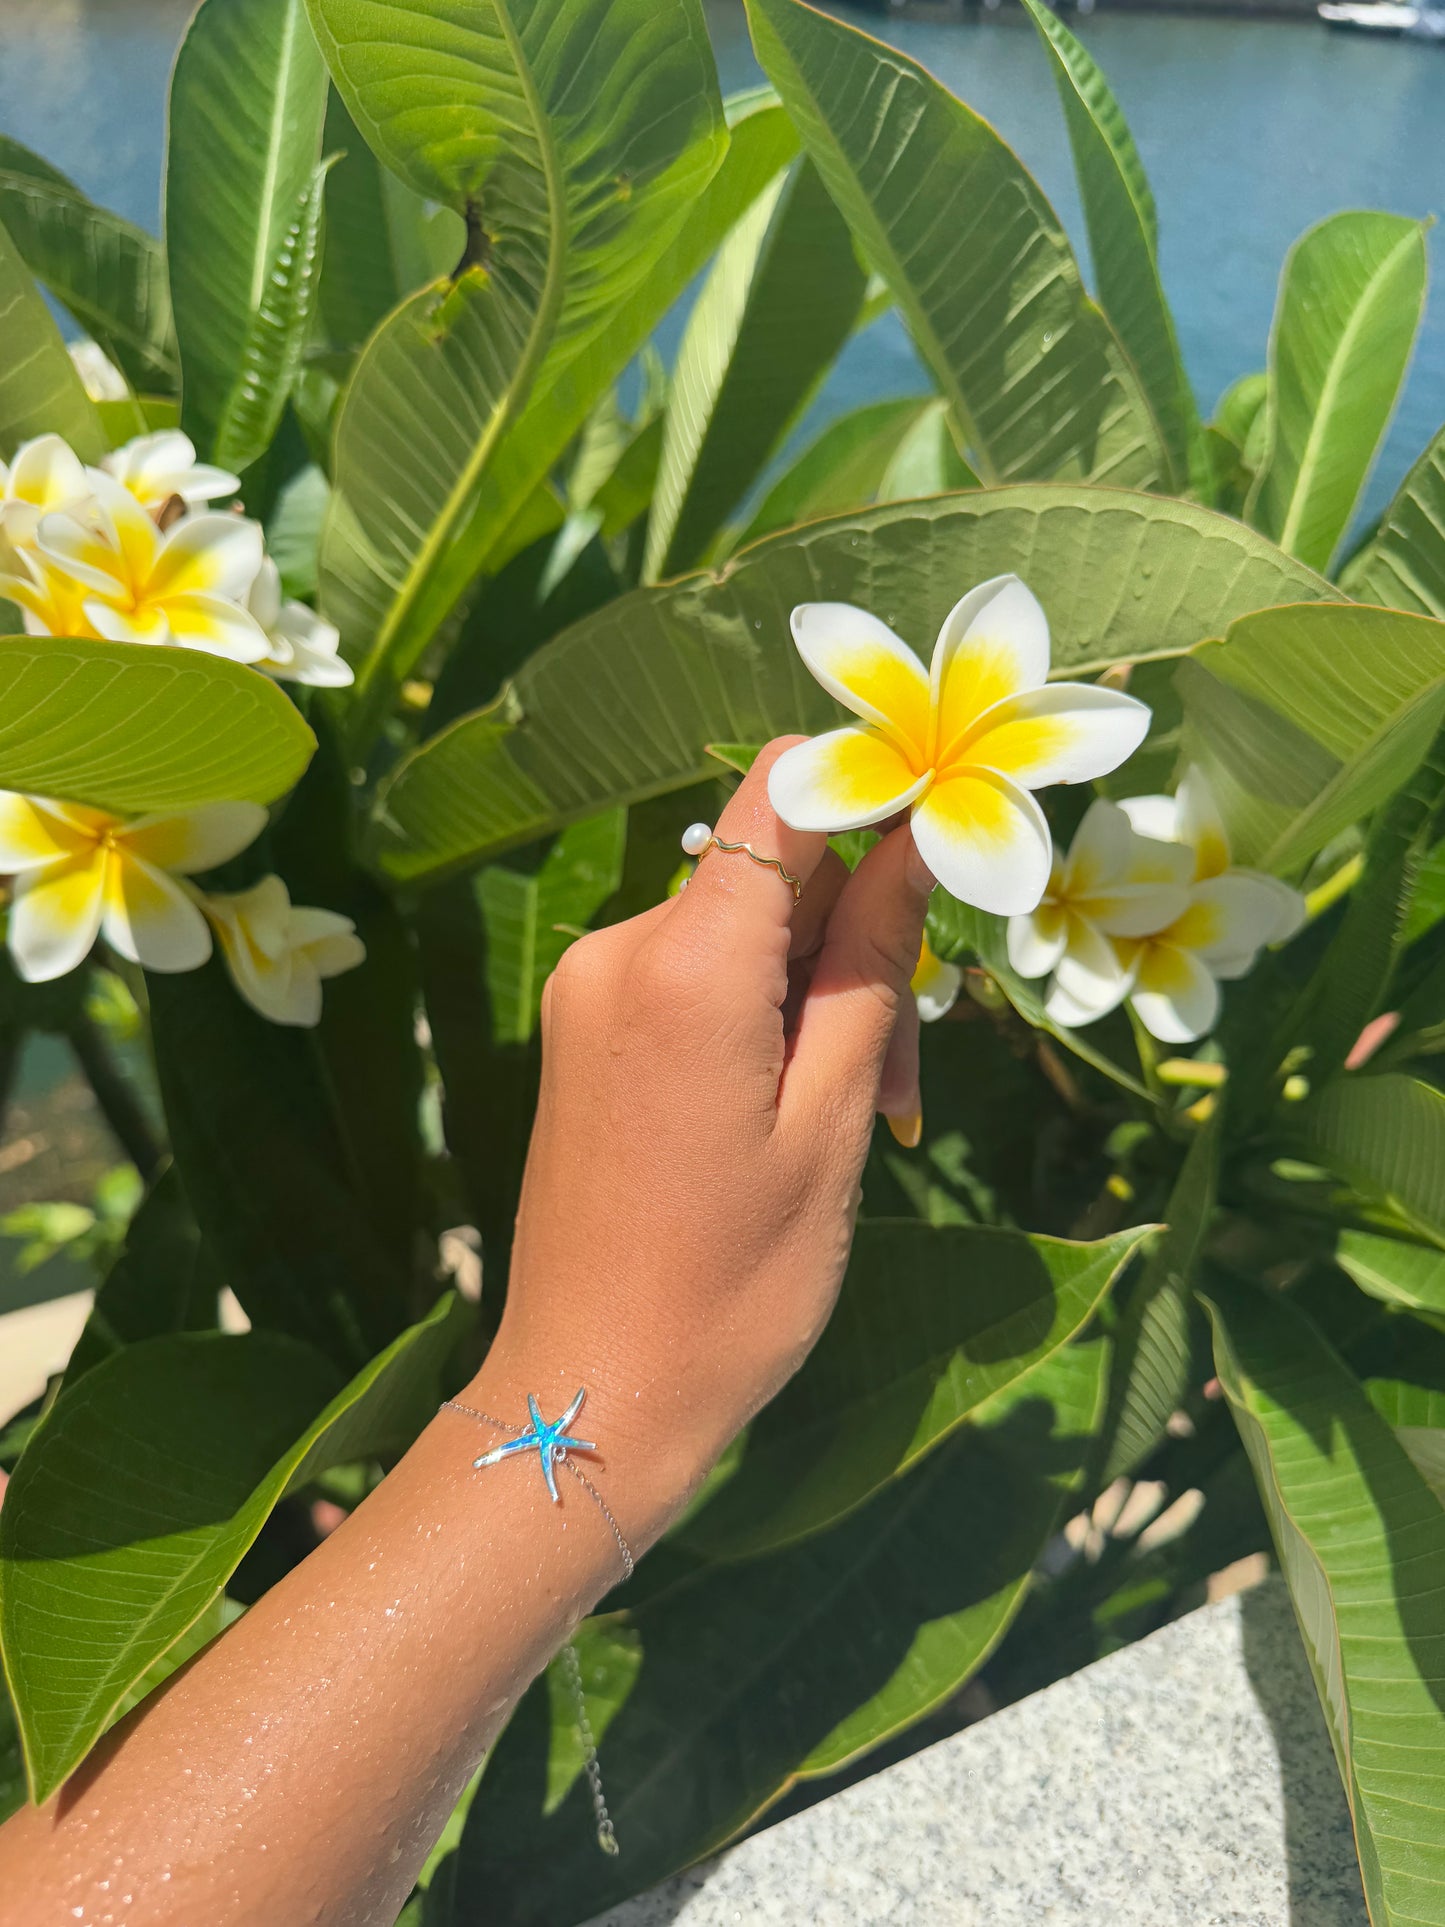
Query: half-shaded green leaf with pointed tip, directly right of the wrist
pixel 933 1325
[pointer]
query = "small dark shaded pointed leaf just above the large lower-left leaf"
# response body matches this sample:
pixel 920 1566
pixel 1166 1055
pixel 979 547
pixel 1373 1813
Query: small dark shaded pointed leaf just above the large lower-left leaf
pixel 165 1280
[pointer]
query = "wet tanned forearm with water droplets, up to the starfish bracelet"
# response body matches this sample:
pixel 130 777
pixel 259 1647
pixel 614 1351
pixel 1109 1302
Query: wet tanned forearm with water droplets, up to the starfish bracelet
pixel 307 1760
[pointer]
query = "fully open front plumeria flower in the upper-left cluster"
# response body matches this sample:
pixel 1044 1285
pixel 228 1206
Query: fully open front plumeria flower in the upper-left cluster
pixel 186 587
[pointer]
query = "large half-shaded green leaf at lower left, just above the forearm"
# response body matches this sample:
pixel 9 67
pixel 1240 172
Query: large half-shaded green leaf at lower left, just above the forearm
pixel 149 1479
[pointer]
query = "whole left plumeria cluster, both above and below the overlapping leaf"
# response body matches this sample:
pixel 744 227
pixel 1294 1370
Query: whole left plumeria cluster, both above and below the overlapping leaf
pixel 134 552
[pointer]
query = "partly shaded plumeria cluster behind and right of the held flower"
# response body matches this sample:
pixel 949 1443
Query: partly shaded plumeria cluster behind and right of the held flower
pixel 1149 909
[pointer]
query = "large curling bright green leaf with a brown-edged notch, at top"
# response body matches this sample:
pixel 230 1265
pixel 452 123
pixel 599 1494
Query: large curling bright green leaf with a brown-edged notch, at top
pixel 589 136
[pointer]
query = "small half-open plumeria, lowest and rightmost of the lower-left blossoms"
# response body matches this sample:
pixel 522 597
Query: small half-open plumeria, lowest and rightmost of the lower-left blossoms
pixel 278 953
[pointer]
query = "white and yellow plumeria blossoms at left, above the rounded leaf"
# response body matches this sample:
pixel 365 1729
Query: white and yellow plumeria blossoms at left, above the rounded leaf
pixel 134 552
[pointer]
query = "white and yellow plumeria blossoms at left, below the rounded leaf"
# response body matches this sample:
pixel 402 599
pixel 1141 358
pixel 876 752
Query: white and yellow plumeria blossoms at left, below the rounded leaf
pixel 84 874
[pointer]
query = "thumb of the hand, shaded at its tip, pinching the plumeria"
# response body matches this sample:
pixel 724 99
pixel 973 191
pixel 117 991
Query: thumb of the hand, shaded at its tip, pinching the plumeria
pixel 860 986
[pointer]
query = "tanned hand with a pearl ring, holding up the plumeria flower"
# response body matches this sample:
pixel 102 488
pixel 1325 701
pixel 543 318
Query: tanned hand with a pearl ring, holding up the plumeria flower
pixel 710 1082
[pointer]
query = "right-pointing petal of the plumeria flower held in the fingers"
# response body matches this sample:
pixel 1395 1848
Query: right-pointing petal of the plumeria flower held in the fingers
pixel 1064 733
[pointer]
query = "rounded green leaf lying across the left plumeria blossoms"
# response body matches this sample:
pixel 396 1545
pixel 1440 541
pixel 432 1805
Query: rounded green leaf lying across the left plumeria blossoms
pixel 130 727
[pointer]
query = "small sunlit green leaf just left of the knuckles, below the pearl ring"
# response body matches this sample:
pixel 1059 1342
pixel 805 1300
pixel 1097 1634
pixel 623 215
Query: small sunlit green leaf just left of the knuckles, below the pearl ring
pixel 533 916
